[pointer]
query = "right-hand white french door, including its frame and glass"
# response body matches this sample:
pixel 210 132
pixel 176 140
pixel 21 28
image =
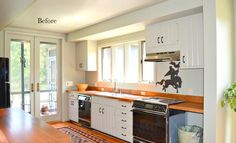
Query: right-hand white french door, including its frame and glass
pixel 46 78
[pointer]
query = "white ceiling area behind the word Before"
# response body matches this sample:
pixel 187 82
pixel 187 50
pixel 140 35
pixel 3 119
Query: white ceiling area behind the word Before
pixel 75 14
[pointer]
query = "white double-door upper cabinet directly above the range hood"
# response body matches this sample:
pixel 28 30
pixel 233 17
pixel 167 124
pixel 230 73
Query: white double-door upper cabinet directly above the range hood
pixel 162 37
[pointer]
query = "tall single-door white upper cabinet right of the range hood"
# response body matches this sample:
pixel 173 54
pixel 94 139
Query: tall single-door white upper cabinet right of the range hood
pixel 191 41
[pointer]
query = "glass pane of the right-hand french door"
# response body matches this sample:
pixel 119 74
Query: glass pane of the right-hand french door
pixel 48 78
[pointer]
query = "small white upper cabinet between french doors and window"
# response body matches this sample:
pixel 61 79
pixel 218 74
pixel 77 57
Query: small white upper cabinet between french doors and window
pixel 86 56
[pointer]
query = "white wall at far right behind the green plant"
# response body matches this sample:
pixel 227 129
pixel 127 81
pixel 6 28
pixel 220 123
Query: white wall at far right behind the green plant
pixel 219 123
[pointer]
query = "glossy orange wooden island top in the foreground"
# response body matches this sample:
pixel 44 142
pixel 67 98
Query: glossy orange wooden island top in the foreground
pixel 20 127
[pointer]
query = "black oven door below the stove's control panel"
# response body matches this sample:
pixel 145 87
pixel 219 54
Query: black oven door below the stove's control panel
pixel 149 126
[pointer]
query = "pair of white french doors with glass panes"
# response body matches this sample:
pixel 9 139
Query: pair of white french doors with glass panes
pixel 34 75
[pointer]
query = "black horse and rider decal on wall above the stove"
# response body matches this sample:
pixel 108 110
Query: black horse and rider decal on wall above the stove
pixel 175 80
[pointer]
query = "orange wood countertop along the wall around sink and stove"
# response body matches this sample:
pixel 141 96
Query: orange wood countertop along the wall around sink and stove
pixel 190 106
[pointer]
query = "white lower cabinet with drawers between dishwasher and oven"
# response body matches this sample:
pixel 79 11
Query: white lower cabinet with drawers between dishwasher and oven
pixel 112 117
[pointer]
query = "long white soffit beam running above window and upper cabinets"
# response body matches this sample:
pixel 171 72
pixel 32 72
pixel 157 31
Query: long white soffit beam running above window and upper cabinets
pixel 164 10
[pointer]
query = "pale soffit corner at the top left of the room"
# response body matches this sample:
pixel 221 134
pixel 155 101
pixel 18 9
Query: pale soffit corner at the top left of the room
pixel 10 9
